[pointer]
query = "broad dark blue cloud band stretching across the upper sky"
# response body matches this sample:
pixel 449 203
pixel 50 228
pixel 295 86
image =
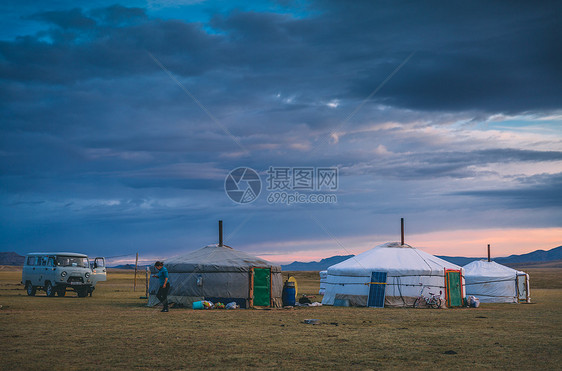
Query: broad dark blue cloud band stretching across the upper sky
pixel 477 56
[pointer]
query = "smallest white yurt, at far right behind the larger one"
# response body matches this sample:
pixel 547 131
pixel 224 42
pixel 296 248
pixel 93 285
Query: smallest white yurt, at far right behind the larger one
pixel 495 283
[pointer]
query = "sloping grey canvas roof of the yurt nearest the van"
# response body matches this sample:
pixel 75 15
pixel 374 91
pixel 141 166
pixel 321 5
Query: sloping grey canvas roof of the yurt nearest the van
pixel 215 258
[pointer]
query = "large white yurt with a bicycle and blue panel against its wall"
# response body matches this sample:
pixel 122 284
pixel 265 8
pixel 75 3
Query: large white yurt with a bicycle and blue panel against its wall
pixel 394 275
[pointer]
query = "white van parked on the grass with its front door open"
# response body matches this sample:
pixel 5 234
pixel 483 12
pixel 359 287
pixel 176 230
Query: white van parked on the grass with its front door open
pixel 56 272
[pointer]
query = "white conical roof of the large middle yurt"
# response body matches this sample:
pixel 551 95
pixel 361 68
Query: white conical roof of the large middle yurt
pixel 393 258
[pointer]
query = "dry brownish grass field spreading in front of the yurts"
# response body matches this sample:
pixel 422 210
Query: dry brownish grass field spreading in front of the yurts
pixel 115 330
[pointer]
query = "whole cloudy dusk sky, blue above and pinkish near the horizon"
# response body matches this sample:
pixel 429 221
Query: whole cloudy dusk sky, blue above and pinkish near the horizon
pixel 121 122
